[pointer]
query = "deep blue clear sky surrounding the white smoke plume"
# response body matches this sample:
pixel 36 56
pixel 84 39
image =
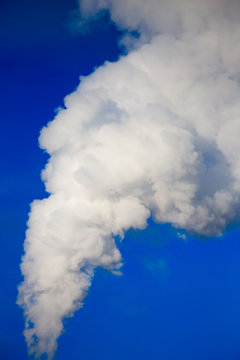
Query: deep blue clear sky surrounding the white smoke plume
pixel 177 299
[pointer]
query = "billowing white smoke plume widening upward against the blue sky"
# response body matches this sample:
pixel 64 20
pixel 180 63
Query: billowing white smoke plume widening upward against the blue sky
pixel 154 134
